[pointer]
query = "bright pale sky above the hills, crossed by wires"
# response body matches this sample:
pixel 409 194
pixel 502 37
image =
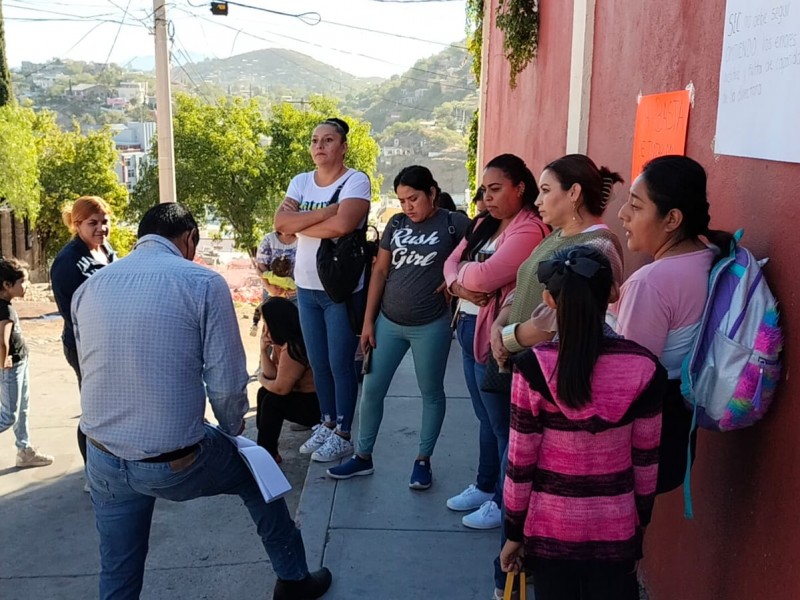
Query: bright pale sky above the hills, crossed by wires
pixel 90 30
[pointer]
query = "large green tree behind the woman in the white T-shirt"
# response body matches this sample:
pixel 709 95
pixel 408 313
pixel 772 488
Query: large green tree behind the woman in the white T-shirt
pixel 234 164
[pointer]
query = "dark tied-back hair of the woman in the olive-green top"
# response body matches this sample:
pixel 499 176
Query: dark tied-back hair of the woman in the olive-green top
pixel 596 183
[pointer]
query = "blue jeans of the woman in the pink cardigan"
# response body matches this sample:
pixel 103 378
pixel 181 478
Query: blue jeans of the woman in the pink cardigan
pixel 493 412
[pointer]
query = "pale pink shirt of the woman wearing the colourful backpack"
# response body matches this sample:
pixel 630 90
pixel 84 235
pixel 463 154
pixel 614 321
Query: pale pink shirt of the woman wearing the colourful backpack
pixel 661 304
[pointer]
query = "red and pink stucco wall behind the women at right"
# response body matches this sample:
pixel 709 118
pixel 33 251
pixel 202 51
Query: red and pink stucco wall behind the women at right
pixel 745 538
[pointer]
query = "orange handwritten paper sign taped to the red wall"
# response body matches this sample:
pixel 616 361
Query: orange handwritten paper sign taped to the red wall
pixel 661 122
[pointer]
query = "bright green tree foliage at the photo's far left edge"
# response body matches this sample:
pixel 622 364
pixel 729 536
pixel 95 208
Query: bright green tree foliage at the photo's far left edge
pixel 18 161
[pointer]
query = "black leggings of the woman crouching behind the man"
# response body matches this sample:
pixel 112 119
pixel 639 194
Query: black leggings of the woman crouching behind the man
pixel 272 410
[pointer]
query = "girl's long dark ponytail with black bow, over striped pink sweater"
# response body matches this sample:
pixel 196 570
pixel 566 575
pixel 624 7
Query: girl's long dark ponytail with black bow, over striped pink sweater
pixel 579 278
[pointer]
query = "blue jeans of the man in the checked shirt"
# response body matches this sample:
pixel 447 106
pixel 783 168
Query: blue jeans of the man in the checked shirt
pixel 124 494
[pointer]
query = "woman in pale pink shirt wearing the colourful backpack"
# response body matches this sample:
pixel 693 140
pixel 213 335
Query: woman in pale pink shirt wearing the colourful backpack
pixel 660 305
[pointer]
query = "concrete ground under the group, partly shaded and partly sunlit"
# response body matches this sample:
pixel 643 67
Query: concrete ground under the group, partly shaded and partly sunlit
pixel 381 539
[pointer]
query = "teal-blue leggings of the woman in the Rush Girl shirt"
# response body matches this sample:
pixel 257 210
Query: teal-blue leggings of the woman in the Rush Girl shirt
pixel 430 345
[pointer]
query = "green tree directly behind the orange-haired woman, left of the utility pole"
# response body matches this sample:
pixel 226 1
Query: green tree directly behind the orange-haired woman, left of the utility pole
pixel 71 165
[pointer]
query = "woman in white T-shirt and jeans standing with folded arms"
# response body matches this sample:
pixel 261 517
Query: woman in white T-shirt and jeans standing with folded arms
pixel 330 340
